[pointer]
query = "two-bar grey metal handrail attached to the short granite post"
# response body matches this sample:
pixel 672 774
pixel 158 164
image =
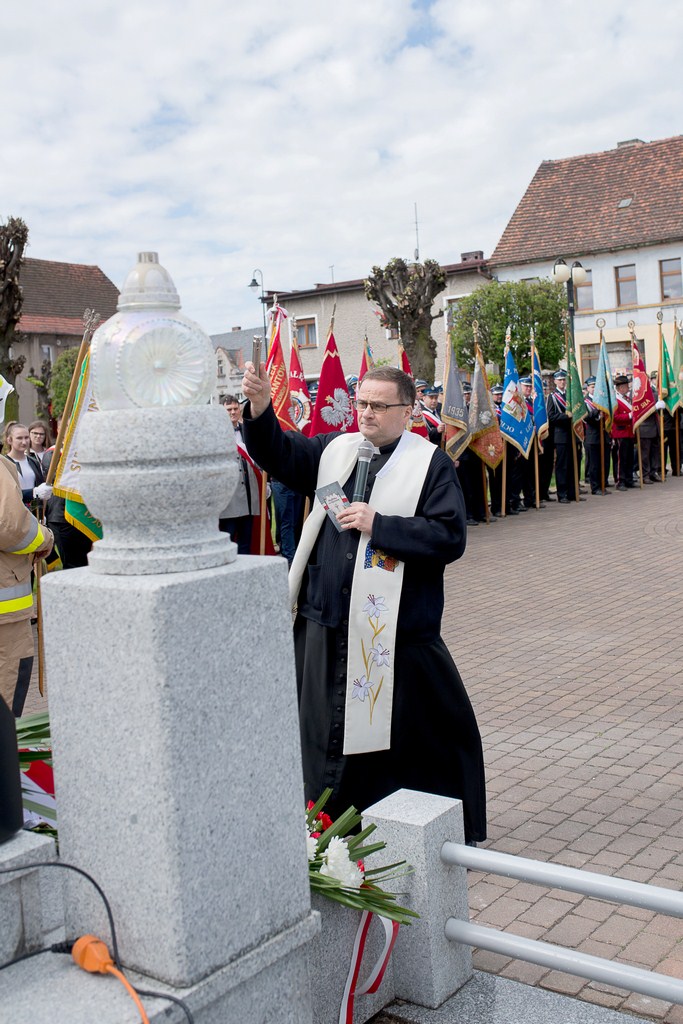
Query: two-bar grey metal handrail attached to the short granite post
pixel 559 958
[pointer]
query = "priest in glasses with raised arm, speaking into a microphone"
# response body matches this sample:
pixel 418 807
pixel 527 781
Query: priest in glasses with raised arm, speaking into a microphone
pixel 382 706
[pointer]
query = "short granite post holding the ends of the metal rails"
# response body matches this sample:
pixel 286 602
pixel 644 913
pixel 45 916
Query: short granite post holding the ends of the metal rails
pixel 428 967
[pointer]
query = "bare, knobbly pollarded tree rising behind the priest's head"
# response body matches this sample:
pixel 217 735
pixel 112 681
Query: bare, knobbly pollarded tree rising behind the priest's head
pixel 405 293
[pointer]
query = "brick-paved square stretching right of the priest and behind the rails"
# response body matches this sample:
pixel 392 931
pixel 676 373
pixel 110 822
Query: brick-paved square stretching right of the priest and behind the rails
pixel 577 688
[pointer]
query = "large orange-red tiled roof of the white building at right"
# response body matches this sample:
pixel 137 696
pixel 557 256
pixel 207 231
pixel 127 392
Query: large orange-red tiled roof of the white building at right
pixel 572 206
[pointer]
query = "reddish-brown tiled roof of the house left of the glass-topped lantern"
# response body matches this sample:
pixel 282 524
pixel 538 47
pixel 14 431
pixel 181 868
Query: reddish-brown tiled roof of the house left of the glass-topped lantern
pixel 56 296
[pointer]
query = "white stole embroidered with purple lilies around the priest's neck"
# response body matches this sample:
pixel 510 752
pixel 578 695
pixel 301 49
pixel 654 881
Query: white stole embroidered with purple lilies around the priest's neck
pixel 376 588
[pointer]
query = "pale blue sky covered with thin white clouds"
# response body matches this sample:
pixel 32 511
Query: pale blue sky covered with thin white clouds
pixel 298 138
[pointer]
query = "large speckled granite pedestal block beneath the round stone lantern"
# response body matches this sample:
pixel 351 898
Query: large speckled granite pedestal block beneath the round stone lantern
pixel 178 762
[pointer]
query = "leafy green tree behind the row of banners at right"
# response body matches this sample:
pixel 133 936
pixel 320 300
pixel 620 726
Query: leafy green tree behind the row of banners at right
pixel 523 306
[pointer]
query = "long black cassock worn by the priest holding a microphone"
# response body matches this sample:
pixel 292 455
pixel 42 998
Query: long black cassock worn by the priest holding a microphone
pixel 436 743
